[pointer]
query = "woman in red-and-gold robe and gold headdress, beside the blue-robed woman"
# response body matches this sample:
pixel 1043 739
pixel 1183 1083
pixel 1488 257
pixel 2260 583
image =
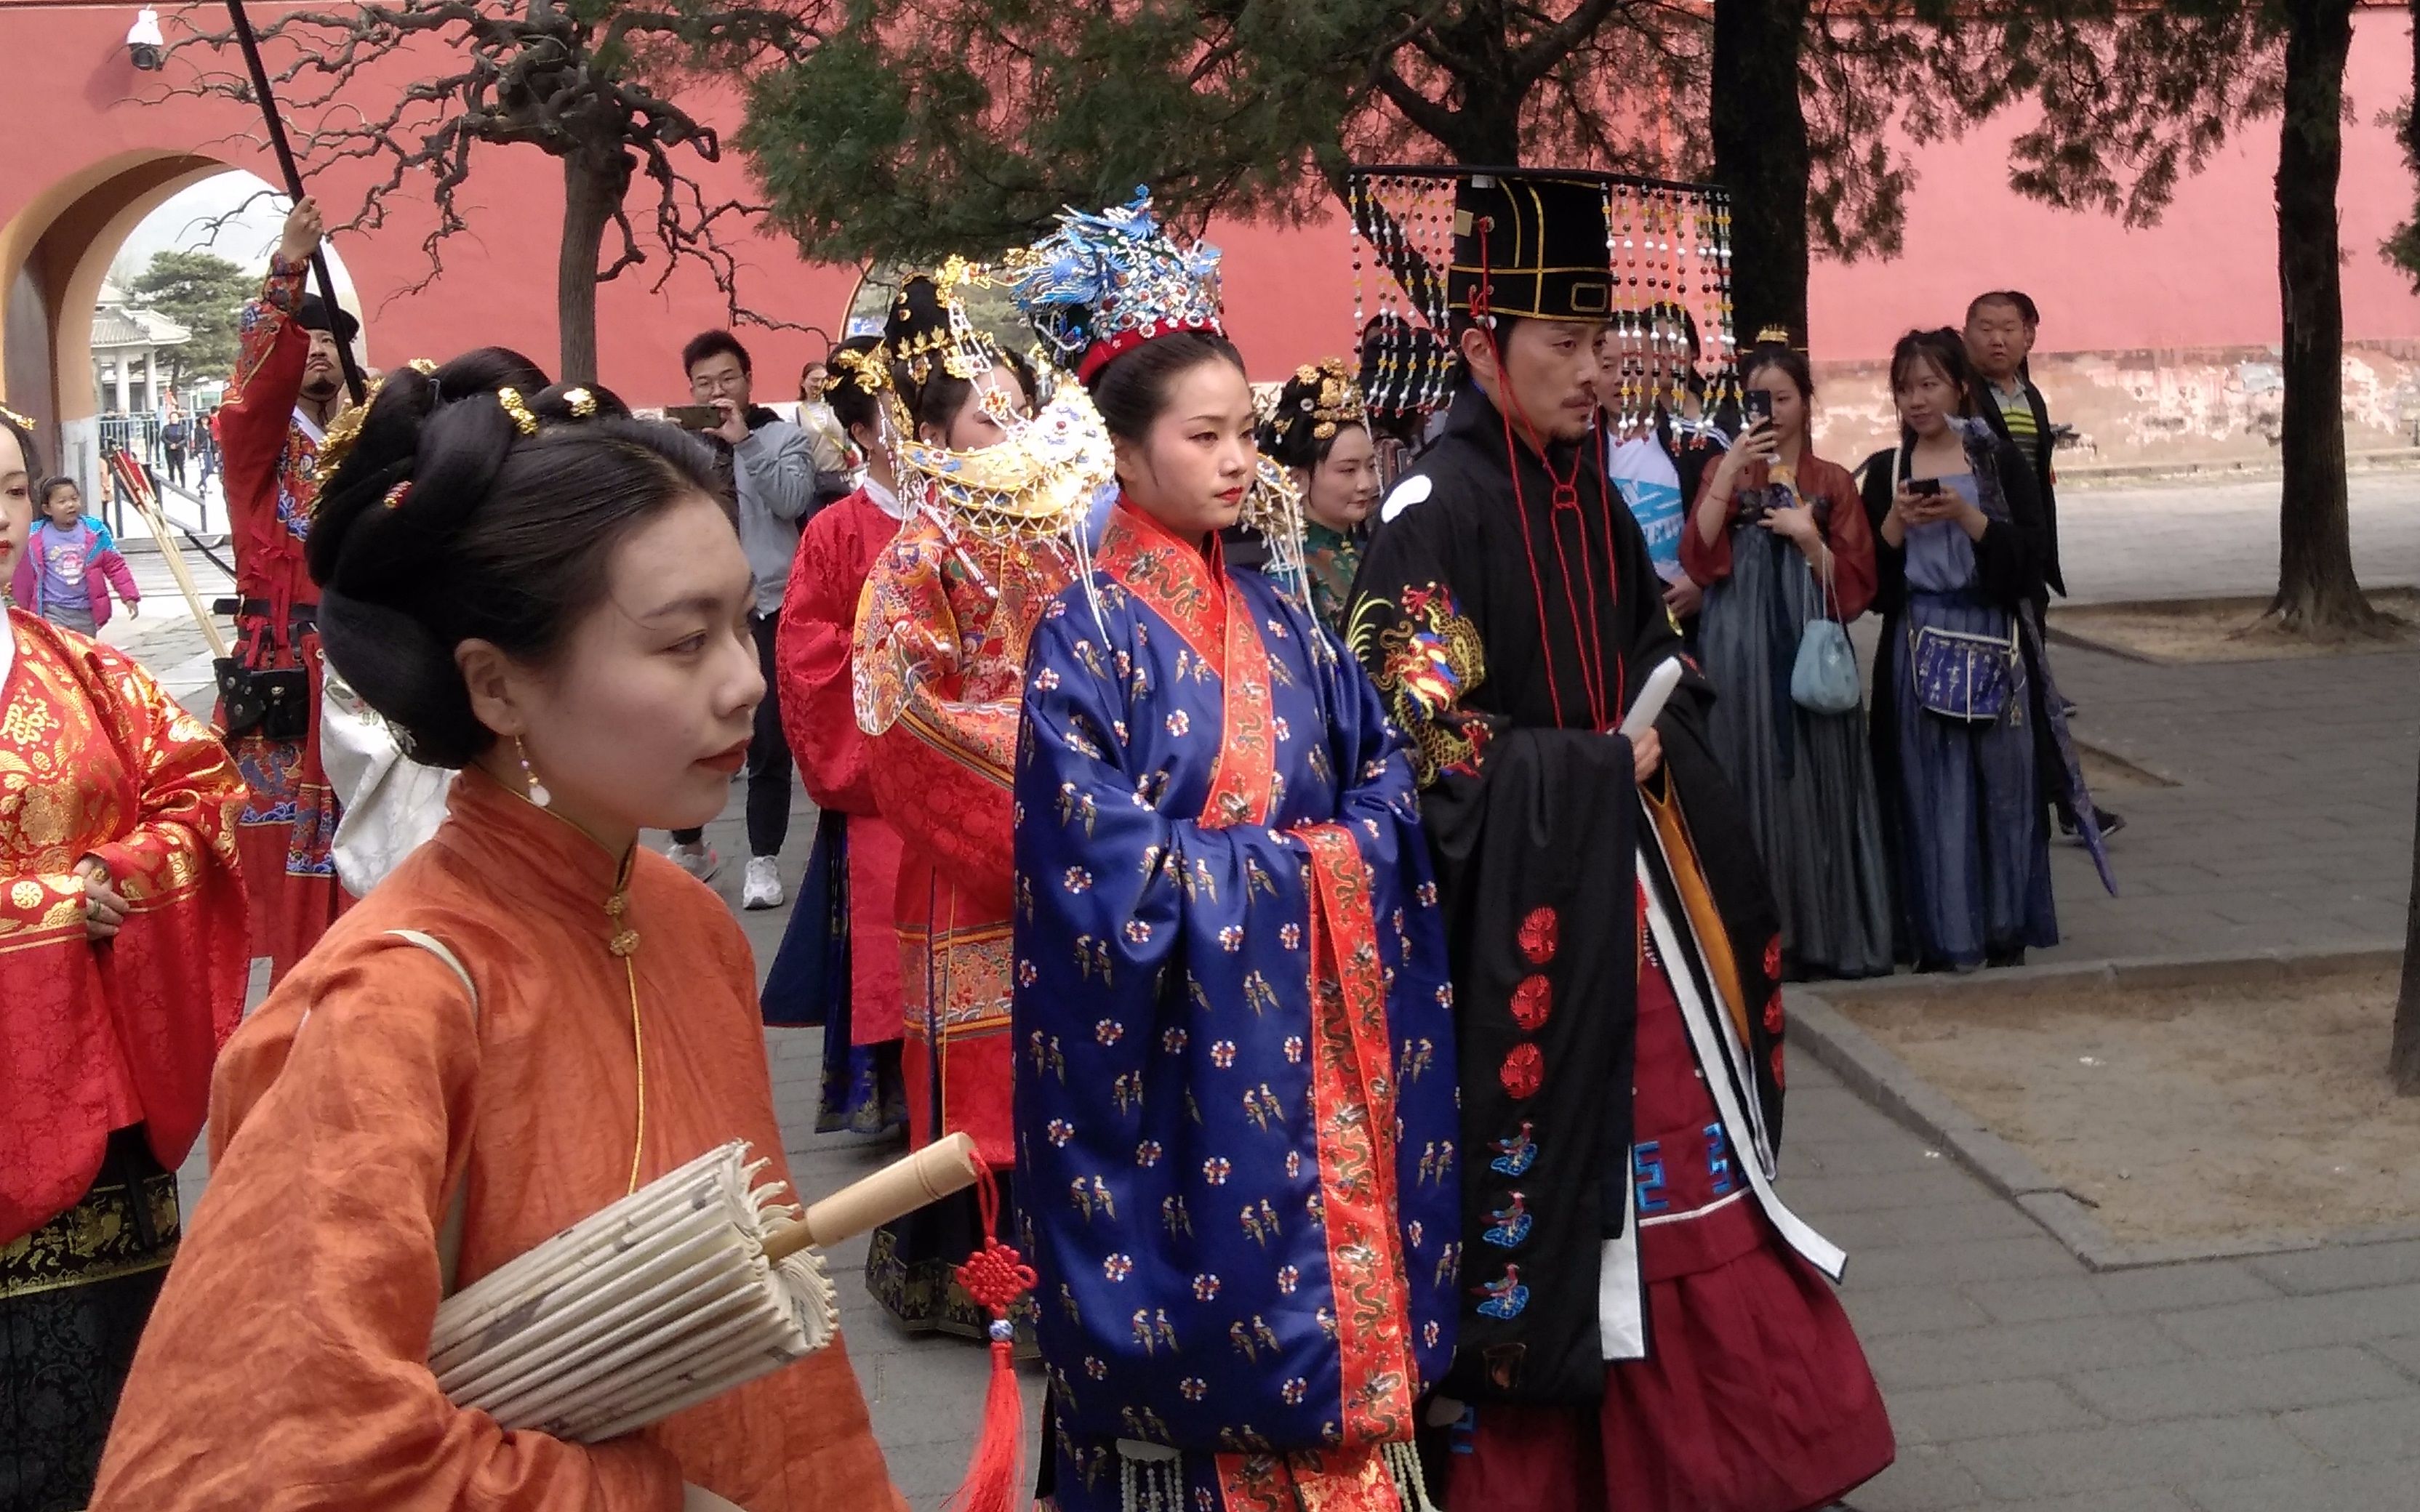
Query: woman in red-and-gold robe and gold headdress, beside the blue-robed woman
pixel 940 659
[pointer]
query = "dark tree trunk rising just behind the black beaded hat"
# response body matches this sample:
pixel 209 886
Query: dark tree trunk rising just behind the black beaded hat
pixel 1761 154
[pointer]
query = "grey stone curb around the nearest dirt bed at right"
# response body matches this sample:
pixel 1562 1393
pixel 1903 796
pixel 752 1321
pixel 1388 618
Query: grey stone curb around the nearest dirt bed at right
pixel 1891 1085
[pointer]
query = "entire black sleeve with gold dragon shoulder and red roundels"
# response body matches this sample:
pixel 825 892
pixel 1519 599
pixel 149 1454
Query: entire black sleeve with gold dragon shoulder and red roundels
pixel 1533 833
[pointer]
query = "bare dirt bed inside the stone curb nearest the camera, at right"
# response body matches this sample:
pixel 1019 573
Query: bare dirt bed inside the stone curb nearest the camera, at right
pixel 2211 1112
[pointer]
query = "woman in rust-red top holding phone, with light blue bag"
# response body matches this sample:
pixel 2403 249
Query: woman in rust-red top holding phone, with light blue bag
pixel 1780 541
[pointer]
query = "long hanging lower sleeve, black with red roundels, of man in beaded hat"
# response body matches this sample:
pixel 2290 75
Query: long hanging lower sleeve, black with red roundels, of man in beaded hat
pixel 1538 889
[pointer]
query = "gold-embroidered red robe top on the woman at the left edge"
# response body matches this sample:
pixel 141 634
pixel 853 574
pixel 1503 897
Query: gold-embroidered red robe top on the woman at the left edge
pixel 96 761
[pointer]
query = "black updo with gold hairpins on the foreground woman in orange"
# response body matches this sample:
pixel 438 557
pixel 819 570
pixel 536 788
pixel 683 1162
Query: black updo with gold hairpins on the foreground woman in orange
pixel 449 524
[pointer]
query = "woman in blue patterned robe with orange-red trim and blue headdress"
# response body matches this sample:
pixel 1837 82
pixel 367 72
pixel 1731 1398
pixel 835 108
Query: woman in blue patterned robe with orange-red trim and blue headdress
pixel 1235 1090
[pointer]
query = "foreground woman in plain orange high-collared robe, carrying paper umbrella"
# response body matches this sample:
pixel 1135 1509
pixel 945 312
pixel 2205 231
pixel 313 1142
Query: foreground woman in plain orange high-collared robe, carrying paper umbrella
pixel 560 611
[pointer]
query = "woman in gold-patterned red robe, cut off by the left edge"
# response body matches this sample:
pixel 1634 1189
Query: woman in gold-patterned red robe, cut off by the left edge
pixel 122 971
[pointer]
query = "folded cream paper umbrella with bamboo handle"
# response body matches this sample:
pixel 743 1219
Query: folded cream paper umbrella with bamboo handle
pixel 696 1283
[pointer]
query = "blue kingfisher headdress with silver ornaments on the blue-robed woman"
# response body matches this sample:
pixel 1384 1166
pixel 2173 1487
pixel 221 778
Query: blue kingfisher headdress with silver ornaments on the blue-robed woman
pixel 1105 284
